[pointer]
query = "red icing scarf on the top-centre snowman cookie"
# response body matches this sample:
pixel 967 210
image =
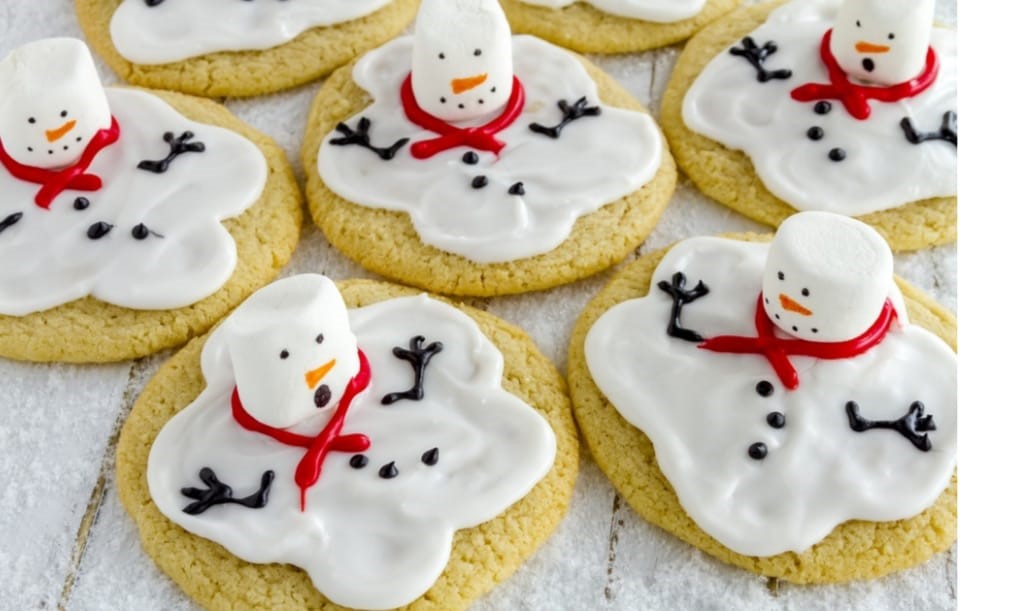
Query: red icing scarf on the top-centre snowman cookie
pixel 482 138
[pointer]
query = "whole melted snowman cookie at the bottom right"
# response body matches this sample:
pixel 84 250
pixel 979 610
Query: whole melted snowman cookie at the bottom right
pixel 791 408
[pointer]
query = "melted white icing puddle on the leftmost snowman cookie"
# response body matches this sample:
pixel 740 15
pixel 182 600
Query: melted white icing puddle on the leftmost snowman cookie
pixel 52 260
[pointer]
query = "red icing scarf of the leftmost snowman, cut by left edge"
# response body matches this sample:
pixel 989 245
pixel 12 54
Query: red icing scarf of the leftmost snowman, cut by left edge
pixel 73 178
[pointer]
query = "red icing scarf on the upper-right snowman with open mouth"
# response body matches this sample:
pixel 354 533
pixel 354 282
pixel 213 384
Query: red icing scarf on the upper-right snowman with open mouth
pixel 855 98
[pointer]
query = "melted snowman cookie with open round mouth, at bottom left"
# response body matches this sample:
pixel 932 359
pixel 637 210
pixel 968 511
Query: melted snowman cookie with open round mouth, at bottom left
pixel 362 457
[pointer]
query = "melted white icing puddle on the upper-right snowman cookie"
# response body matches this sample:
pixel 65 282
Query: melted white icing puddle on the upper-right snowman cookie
pixel 882 169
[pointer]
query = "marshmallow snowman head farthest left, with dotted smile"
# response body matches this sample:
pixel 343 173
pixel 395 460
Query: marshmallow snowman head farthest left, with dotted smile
pixel 52 104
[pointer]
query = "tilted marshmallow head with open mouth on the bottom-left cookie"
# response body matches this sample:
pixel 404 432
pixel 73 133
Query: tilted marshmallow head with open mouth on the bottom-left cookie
pixel 293 351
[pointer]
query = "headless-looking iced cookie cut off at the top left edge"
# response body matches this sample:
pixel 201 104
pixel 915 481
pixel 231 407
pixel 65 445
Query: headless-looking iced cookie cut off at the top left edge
pixel 236 48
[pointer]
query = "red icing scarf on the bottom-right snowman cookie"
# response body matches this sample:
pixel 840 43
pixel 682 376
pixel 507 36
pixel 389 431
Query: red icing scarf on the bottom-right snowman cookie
pixel 778 351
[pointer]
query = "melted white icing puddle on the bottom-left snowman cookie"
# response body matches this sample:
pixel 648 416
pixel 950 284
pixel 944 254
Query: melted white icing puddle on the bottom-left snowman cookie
pixel 365 542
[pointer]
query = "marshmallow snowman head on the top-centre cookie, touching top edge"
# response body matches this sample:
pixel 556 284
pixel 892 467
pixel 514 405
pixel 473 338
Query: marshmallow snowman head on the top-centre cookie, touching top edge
pixel 463 65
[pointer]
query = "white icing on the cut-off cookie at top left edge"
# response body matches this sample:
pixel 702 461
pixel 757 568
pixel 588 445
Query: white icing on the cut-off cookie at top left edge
pixel 179 30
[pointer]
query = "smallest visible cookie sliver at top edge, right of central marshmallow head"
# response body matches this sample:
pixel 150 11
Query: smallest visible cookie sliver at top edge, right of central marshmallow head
pixel 608 27
